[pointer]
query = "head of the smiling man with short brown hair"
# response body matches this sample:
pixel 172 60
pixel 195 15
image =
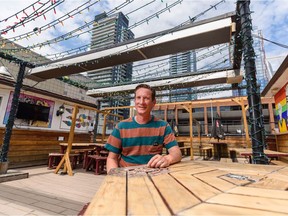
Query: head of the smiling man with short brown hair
pixel 143 101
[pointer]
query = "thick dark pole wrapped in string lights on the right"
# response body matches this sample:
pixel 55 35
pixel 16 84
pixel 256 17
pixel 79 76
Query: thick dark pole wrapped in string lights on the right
pixel 253 93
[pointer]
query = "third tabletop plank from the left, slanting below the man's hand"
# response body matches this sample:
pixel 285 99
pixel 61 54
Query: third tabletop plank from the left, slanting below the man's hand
pixel 174 193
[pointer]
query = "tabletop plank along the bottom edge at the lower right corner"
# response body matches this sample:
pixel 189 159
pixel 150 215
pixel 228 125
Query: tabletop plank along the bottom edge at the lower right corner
pixel 216 210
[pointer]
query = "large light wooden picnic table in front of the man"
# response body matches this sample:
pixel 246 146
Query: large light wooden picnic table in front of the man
pixel 193 188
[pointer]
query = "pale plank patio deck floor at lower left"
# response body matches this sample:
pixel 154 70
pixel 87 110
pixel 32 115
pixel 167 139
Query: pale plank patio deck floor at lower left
pixel 46 193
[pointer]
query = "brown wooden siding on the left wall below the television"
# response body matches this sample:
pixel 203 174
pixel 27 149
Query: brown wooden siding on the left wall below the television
pixel 31 147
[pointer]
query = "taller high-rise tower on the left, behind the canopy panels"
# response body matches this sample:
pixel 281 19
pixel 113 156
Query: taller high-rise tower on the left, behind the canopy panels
pixel 108 31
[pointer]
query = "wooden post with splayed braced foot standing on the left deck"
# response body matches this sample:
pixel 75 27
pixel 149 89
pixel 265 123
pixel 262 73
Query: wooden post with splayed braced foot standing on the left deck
pixel 66 159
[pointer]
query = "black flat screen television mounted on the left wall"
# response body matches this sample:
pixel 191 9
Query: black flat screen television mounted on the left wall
pixel 32 112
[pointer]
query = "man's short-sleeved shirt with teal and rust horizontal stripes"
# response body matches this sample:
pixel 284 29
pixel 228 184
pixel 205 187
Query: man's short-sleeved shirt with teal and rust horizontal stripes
pixel 138 143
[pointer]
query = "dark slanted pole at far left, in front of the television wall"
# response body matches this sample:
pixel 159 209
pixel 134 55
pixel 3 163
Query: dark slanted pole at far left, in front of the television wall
pixel 12 114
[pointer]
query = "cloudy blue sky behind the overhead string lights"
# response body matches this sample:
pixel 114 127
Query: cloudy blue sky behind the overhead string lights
pixel 269 16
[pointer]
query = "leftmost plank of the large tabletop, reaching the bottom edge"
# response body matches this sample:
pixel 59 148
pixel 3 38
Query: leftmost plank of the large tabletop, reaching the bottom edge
pixel 112 191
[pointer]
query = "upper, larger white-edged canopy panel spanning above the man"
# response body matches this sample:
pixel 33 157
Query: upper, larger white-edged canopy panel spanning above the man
pixel 196 35
